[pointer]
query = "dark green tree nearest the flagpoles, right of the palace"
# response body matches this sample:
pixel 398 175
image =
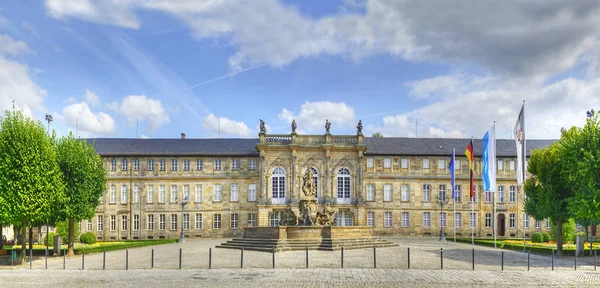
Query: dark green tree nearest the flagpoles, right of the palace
pixel 547 189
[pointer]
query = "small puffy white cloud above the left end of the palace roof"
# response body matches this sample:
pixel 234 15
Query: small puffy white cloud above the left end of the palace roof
pixel 139 107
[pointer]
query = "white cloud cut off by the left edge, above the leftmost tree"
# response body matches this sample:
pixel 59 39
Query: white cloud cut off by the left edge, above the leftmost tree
pixel 16 82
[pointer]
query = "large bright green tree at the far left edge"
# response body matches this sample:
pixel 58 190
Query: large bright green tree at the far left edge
pixel 30 179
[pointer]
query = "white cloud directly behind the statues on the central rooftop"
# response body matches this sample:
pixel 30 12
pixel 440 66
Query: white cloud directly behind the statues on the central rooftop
pixel 312 116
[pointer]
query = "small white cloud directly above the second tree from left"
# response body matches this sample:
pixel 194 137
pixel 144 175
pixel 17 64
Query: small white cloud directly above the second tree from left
pixel 81 117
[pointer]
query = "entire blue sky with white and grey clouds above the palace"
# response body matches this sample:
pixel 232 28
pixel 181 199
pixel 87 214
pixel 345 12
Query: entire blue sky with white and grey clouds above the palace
pixel 214 68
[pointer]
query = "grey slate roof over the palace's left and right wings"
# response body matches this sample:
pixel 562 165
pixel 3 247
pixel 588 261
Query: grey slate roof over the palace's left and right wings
pixel 247 147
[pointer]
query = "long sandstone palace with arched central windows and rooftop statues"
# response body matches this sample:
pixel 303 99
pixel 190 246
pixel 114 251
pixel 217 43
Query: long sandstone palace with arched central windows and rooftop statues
pixel 389 184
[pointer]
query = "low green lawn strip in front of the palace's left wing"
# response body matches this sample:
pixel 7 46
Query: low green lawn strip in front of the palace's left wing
pixel 98 246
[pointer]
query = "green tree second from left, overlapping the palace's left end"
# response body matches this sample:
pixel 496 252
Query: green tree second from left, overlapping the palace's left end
pixel 85 179
